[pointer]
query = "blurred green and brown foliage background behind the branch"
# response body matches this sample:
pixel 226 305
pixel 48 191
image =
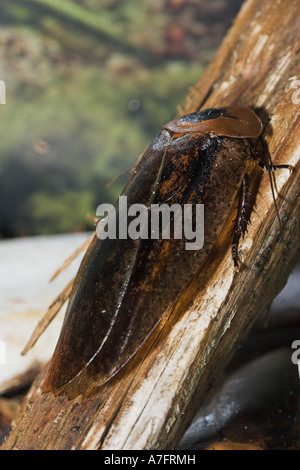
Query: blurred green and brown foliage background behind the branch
pixel 89 84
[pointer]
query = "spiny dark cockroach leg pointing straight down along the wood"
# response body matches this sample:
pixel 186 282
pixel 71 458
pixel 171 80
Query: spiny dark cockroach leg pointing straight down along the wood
pixel 242 220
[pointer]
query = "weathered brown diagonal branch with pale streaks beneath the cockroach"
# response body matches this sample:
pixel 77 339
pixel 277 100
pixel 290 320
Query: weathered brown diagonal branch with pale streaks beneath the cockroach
pixel 150 404
